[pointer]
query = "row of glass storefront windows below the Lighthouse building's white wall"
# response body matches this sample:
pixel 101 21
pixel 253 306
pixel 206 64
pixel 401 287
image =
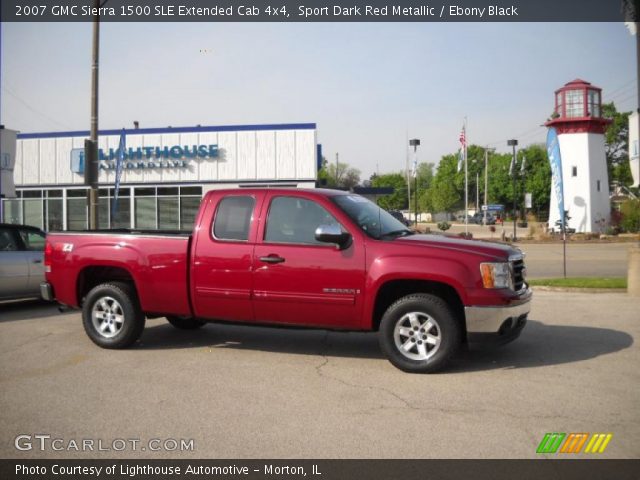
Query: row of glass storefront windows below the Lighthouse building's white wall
pixel 152 208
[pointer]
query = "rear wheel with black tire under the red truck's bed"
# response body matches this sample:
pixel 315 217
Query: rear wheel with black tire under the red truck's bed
pixel 111 315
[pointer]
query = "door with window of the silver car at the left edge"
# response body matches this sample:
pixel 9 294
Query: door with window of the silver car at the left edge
pixel 14 268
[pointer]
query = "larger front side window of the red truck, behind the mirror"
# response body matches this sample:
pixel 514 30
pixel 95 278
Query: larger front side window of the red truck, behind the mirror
pixel 294 220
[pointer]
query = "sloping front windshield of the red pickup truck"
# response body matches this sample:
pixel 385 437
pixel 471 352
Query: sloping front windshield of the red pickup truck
pixel 372 220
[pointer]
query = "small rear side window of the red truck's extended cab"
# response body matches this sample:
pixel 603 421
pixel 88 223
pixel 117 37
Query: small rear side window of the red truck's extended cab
pixel 233 218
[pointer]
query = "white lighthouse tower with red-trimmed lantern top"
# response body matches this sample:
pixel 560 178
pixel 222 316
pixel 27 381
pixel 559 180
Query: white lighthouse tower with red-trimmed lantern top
pixel 578 120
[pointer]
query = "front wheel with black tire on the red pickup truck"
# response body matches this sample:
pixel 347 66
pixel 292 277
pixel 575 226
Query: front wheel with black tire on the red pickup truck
pixel 426 327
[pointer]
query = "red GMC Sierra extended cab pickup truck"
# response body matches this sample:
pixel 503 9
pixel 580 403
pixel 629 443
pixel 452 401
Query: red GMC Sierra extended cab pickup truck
pixel 313 258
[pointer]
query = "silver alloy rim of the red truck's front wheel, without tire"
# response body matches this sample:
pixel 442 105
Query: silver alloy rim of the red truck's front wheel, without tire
pixel 417 336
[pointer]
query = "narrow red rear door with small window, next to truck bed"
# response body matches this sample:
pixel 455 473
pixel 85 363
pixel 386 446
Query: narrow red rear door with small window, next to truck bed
pixel 222 257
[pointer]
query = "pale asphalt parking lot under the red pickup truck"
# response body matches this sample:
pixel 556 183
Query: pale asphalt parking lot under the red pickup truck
pixel 246 392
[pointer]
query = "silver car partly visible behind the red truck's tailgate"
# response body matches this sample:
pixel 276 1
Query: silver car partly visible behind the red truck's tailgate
pixel 21 261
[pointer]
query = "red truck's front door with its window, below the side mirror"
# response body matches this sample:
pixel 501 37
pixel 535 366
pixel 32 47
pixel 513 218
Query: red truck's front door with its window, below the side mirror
pixel 298 280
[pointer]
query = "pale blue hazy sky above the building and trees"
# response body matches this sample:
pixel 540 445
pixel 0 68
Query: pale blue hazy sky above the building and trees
pixel 367 86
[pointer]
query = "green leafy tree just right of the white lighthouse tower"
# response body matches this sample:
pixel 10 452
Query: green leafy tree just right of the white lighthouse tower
pixel 617 144
